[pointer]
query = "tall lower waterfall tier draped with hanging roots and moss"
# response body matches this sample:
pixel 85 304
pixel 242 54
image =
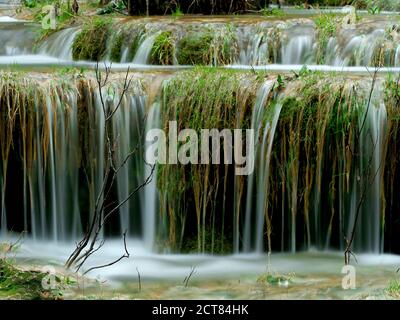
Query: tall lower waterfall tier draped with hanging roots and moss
pixel 304 159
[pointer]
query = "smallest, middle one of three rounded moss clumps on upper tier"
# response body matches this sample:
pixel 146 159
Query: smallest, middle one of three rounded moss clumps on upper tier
pixel 163 50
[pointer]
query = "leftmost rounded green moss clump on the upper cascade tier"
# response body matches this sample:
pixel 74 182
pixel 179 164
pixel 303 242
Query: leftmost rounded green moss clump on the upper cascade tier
pixel 91 42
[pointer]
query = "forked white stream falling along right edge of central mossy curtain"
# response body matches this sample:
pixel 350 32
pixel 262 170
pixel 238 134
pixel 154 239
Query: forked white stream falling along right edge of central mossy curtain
pixel 264 137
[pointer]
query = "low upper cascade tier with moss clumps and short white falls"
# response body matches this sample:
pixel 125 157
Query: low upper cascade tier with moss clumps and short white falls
pixel 326 39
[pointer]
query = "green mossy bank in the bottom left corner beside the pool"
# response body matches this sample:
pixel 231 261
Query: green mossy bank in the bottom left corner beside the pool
pixel 19 284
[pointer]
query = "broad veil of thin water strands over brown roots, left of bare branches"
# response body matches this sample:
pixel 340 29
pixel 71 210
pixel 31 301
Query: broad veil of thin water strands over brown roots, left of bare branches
pixel 51 179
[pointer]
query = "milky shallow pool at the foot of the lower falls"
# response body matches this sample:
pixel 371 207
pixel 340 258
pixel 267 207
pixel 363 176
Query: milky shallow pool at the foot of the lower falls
pixel 311 275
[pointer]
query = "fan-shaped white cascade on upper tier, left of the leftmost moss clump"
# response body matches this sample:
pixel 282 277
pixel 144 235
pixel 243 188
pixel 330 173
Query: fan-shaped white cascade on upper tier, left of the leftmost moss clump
pixel 59 44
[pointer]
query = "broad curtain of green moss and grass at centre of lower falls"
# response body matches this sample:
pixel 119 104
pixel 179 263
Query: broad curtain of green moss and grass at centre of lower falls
pixel 202 98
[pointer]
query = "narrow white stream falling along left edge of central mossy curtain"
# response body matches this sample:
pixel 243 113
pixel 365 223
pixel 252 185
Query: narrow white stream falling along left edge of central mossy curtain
pixel 150 203
